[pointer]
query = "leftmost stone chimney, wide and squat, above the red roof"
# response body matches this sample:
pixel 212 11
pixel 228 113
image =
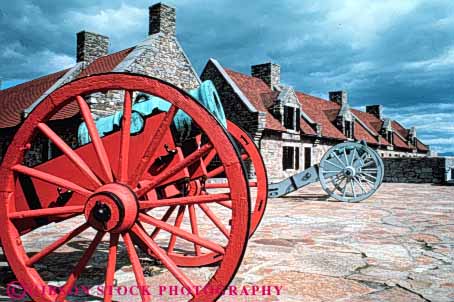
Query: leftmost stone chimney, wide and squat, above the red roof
pixel 91 46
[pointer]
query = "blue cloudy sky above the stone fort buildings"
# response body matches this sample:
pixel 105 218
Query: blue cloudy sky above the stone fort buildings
pixel 397 53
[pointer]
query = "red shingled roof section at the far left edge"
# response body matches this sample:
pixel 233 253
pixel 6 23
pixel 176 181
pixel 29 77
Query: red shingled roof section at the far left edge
pixel 14 100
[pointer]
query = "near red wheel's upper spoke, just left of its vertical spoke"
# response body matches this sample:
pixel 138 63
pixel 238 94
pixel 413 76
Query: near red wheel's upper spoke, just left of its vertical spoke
pixel 95 138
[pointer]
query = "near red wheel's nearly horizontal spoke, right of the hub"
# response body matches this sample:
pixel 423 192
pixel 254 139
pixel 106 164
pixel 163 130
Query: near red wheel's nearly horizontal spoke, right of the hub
pixel 187 200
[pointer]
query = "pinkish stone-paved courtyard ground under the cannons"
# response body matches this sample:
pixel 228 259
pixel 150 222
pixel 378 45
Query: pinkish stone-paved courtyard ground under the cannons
pixel 396 246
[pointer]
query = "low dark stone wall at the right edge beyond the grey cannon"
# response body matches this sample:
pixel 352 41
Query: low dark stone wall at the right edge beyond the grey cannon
pixel 437 170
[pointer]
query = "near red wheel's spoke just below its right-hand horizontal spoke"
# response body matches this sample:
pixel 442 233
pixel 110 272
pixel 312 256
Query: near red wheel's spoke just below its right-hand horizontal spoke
pixel 176 230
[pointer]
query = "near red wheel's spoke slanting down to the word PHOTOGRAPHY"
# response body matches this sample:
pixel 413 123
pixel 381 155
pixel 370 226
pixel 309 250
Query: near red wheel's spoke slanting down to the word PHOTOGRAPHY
pixel 165 259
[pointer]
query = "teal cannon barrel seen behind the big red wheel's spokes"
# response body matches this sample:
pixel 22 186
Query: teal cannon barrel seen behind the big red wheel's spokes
pixel 206 95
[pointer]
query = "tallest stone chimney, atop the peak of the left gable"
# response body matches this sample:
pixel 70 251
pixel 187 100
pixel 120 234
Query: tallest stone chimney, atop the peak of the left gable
pixel 162 19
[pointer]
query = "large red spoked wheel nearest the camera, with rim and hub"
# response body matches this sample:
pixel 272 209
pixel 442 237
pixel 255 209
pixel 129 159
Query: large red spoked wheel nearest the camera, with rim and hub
pixel 22 265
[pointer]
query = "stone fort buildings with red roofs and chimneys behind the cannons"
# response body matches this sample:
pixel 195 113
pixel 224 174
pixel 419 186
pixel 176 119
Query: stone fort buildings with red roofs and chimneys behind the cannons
pixel 291 128
